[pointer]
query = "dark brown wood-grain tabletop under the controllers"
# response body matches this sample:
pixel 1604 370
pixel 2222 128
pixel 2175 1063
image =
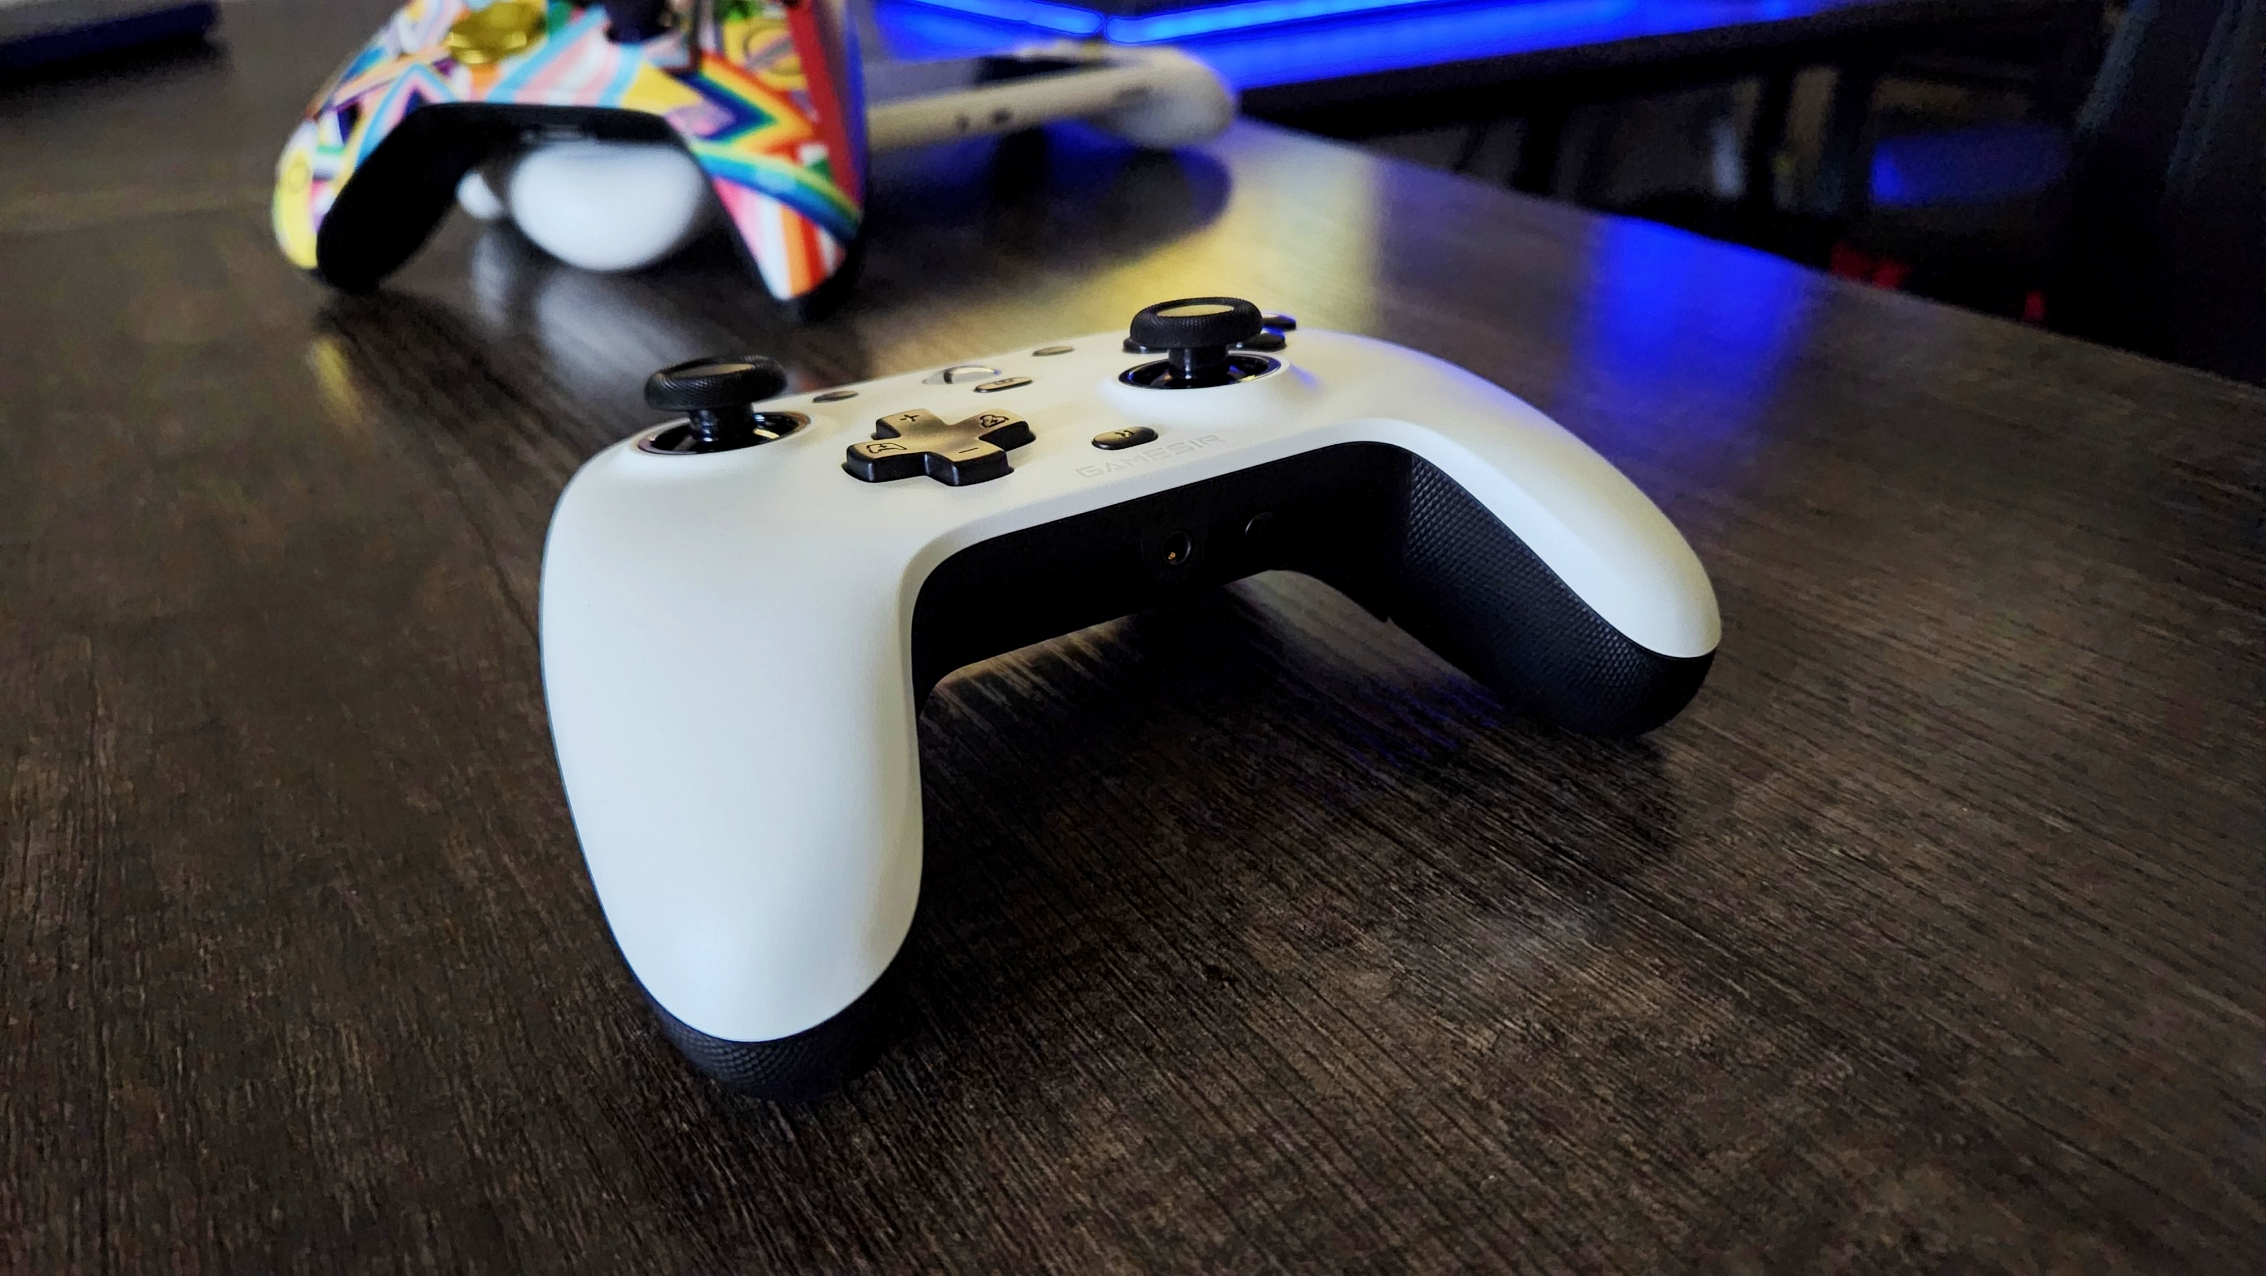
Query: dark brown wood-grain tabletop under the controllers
pixel 1254 939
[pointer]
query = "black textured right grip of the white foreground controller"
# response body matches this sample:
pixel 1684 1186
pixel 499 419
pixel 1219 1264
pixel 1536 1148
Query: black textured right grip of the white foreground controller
pixel 1476 595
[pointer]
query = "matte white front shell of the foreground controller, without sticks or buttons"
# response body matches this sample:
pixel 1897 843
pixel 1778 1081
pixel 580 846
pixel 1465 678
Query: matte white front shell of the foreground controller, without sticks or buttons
pixel 729 638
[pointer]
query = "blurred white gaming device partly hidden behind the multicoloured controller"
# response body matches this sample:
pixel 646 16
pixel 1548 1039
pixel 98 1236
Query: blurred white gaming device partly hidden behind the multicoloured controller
pixel 620 205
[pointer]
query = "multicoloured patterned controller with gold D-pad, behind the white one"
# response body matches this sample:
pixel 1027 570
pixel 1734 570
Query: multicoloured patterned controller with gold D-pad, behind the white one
pixel 763 94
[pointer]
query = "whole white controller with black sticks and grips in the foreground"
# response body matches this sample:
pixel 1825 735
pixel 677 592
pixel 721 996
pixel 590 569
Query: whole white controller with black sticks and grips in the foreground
pixel 744 611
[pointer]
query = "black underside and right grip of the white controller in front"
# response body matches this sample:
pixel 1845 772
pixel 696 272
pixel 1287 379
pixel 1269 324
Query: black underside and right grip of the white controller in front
pixel 1377 522
